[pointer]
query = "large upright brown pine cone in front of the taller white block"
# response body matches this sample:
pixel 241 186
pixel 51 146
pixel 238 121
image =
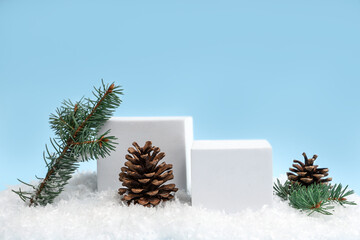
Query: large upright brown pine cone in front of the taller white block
pixel 143 178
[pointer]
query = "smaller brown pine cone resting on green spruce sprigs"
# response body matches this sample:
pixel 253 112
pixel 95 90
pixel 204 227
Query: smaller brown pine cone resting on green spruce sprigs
pixel 306 173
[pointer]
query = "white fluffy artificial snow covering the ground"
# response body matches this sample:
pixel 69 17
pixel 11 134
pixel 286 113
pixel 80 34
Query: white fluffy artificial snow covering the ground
pixel 83 213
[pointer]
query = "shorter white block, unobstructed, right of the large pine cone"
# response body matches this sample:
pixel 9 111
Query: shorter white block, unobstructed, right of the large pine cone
pixel 231 175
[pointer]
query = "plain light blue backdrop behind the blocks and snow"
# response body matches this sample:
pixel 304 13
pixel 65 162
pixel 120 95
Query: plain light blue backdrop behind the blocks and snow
pixel 285 71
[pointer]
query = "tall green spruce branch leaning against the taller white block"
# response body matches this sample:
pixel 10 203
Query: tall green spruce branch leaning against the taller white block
pixel 76 126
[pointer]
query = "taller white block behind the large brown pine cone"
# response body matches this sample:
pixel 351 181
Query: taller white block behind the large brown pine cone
pixel 173 135
